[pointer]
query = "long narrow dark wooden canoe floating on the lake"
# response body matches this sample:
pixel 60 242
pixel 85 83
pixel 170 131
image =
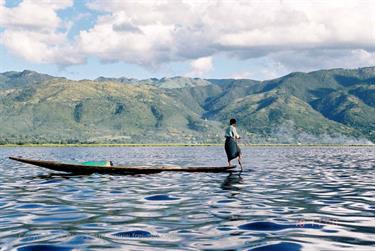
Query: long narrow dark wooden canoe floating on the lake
pixel 85 169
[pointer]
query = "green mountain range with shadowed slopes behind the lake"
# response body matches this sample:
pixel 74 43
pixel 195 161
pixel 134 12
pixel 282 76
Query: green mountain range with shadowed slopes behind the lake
pixel 326 106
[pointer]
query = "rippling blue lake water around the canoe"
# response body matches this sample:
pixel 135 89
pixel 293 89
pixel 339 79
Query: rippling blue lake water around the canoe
pixel 287 198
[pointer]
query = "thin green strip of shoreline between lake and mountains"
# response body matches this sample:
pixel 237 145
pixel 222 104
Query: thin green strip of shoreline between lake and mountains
pixel 185 145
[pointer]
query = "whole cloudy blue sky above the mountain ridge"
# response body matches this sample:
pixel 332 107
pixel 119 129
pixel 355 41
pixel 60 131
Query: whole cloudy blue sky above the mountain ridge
pixel 209 39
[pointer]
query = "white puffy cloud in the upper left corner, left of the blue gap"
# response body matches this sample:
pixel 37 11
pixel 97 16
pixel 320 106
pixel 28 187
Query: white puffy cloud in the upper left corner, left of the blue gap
pixel 32 32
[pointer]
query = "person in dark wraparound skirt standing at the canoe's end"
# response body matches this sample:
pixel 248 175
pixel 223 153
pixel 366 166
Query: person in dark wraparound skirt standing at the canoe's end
pixel 231 147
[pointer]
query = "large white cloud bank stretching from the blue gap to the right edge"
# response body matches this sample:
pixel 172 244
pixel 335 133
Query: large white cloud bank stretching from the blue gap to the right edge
pixel 188 30
